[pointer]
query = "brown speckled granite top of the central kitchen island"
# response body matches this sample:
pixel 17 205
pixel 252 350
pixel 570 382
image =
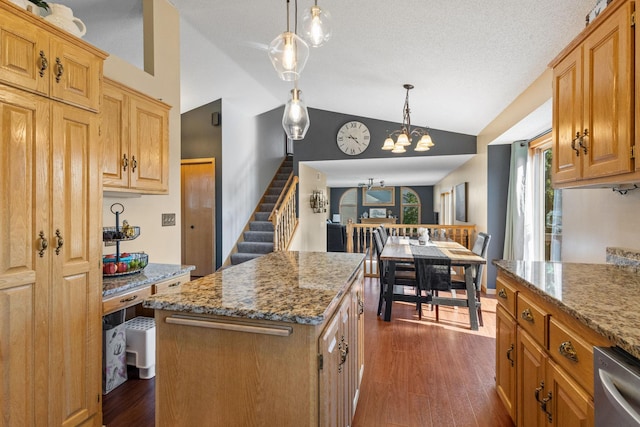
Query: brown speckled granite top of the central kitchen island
pixel 296 287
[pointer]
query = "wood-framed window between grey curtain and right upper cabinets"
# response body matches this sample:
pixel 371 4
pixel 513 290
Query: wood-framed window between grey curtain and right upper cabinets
pixel 547 225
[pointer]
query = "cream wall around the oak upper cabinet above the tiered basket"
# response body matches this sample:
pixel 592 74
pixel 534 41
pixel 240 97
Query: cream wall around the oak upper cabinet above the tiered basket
pixel 161 243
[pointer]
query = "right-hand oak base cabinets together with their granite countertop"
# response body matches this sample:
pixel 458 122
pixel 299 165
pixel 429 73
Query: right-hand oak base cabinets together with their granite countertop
pixel 549 317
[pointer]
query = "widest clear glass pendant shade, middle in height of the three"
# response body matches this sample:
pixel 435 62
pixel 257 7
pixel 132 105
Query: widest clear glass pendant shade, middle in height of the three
pixel 288 54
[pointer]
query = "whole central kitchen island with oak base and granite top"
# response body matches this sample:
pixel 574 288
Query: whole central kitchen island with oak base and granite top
pixel 277 340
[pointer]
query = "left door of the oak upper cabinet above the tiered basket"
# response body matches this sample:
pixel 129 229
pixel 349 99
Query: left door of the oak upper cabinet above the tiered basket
pixel 114 133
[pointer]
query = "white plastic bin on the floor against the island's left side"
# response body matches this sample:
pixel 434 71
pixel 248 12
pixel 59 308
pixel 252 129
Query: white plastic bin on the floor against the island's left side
pixel 141 345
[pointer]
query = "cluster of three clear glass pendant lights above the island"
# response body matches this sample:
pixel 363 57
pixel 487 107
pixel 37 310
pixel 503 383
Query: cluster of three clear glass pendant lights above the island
pixel 289 53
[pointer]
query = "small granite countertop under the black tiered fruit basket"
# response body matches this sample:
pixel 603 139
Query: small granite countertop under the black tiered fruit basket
pixel 152 273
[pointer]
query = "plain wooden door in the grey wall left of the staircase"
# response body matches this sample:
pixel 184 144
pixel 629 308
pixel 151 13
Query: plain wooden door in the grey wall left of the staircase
pixel 198 215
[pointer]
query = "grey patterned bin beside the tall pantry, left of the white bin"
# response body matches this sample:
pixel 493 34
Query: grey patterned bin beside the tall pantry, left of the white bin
pixel 114 354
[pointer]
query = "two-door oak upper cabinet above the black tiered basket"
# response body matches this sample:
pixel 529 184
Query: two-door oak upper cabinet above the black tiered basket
pixel 135 135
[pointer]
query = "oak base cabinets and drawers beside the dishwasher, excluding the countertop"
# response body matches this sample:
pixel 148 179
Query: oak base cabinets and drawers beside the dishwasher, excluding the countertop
pixel 552 359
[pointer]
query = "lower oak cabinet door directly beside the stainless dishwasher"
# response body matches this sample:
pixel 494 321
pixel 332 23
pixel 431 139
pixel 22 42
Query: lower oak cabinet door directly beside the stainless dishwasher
pixel 569 404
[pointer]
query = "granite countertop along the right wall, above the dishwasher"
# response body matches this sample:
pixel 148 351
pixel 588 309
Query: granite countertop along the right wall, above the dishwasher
pixel 604 297
